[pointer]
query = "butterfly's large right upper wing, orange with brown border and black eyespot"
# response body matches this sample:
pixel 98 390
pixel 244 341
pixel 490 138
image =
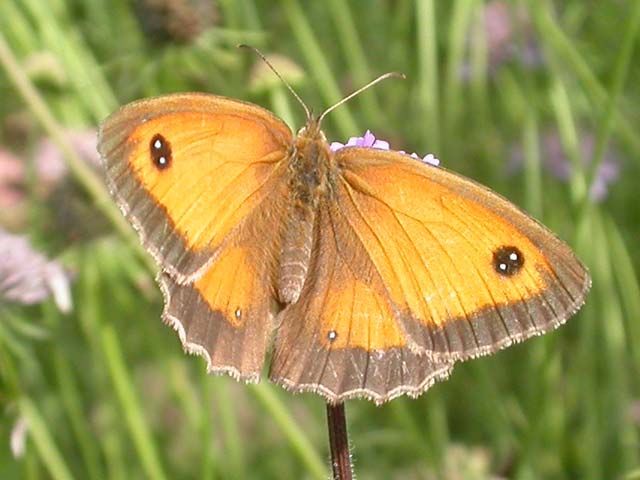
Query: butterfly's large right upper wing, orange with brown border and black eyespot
pixel 466 271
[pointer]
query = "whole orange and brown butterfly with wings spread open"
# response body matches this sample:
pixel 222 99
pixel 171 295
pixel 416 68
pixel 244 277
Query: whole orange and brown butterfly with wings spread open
pixel 363 272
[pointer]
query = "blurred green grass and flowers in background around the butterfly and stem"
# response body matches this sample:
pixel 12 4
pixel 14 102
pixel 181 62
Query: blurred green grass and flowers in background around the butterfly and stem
pixel 537 99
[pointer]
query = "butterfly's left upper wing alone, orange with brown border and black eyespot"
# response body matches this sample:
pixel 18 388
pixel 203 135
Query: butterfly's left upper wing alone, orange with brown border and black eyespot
pixel 188 169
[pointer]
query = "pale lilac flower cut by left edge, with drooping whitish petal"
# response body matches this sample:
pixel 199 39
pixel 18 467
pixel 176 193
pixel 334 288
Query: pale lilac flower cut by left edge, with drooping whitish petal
pixel 28 277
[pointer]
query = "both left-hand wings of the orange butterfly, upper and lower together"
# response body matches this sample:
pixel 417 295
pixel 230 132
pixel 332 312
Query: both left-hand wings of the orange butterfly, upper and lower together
pixel 203 181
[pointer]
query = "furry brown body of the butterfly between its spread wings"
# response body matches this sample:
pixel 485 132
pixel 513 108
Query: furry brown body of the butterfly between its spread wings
pixel 310 164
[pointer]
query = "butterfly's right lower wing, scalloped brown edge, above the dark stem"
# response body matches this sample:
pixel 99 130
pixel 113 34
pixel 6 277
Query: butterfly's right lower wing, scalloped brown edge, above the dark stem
pixel 341 339
